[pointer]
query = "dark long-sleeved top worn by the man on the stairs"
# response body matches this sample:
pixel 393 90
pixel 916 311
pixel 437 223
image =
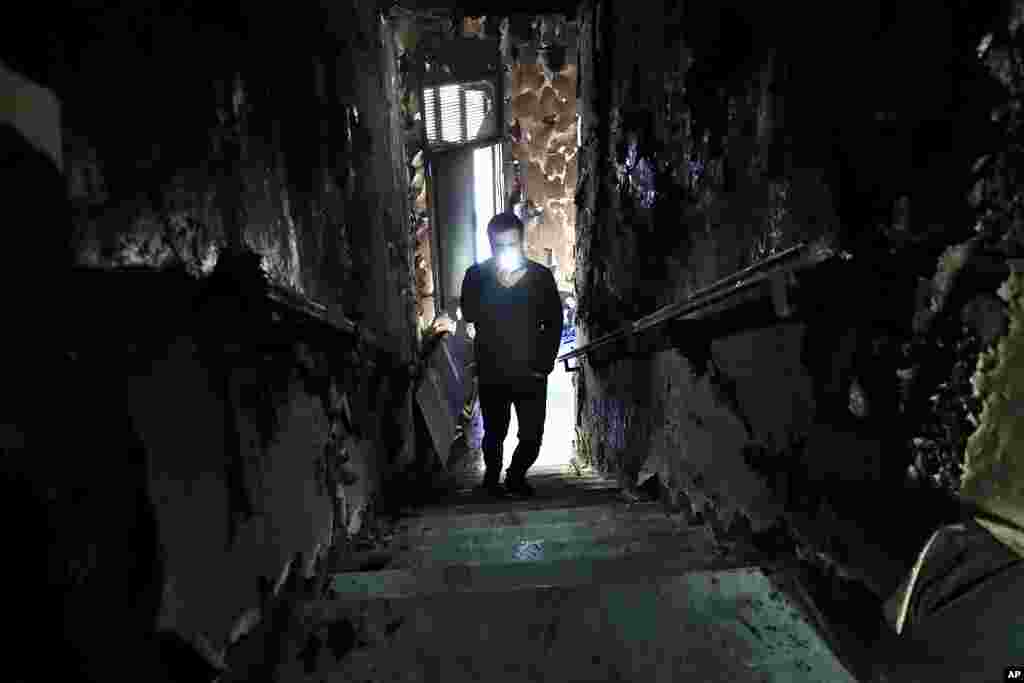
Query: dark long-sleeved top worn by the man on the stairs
pixel 520 328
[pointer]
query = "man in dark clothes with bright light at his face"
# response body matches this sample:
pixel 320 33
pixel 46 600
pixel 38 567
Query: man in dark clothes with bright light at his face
pixel 514 304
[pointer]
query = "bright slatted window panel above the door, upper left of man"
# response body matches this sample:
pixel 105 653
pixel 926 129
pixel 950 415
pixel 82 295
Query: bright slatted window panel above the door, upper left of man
pixel 460 113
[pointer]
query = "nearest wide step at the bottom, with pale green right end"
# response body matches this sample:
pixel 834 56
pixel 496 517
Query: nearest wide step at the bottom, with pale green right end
pixel 638 622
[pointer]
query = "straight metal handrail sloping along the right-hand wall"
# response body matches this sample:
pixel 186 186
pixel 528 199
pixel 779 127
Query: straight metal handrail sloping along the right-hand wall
pixel 800 257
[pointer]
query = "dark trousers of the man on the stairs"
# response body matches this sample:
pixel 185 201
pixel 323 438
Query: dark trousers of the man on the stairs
pixel 530 398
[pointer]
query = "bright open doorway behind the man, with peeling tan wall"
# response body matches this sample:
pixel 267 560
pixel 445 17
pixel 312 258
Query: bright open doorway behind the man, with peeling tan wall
pixel 529 168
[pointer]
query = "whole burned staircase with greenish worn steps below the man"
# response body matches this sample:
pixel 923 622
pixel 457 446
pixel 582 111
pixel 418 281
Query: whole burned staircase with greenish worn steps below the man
pixel 573 585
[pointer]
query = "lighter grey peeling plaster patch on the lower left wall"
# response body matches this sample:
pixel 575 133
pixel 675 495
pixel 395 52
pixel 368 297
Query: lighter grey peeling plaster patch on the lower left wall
pixel 276 474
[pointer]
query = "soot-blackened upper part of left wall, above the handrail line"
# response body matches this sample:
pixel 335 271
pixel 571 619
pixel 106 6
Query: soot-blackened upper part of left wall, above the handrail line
pixel 296 154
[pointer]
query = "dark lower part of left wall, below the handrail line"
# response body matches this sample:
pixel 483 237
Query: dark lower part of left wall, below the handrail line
pixel 251 435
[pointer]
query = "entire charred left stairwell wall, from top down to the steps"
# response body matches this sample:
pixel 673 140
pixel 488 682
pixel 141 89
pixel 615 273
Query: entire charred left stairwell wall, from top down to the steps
pixel 215 436
